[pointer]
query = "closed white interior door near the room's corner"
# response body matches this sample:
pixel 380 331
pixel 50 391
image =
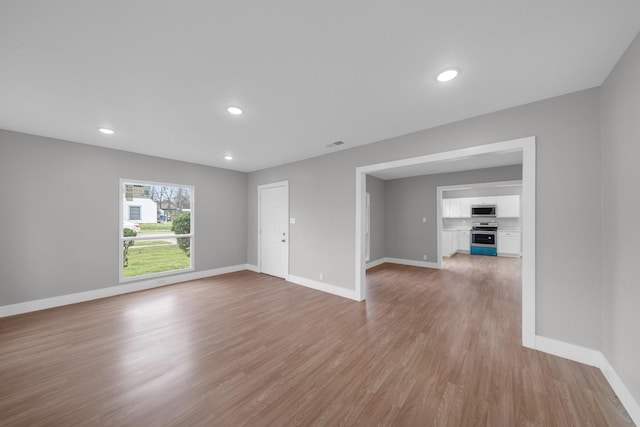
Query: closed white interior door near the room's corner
pixel 274 229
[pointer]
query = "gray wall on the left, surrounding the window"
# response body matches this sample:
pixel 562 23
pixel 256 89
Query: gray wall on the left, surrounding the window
pixel 60 214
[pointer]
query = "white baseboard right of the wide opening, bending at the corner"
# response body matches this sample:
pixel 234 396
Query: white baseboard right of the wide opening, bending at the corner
pixel 592 358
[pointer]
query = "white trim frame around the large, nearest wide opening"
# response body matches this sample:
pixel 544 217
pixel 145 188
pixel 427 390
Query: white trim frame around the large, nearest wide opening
pixel 528 147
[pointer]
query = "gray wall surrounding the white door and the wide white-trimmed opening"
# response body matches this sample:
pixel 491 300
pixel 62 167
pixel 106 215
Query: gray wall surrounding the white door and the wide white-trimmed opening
pixel 567 128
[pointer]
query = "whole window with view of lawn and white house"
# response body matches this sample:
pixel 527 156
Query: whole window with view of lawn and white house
pixel 156 229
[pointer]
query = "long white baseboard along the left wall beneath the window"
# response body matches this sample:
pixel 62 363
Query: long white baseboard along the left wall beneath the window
pixel 42 304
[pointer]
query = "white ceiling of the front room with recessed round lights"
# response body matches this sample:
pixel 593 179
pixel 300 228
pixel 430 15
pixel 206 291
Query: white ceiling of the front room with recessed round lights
pixel 161 73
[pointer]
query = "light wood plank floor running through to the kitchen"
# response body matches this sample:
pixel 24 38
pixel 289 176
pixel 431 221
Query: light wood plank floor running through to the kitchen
pixel 428 348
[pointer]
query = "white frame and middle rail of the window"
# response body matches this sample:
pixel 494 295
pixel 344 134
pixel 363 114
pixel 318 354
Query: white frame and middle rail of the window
pixel 121 238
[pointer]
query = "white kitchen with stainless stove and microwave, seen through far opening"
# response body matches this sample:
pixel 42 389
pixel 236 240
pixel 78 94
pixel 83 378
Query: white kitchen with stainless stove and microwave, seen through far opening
pixel 486 225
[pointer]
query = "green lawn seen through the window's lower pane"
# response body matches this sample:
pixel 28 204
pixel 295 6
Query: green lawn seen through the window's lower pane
pixel 155 259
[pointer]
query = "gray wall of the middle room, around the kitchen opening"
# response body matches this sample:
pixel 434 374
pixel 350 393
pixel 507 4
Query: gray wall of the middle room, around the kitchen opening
pixel 411 199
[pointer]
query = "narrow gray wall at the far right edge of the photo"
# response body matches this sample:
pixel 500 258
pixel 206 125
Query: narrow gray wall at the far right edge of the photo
pixel 620 207
